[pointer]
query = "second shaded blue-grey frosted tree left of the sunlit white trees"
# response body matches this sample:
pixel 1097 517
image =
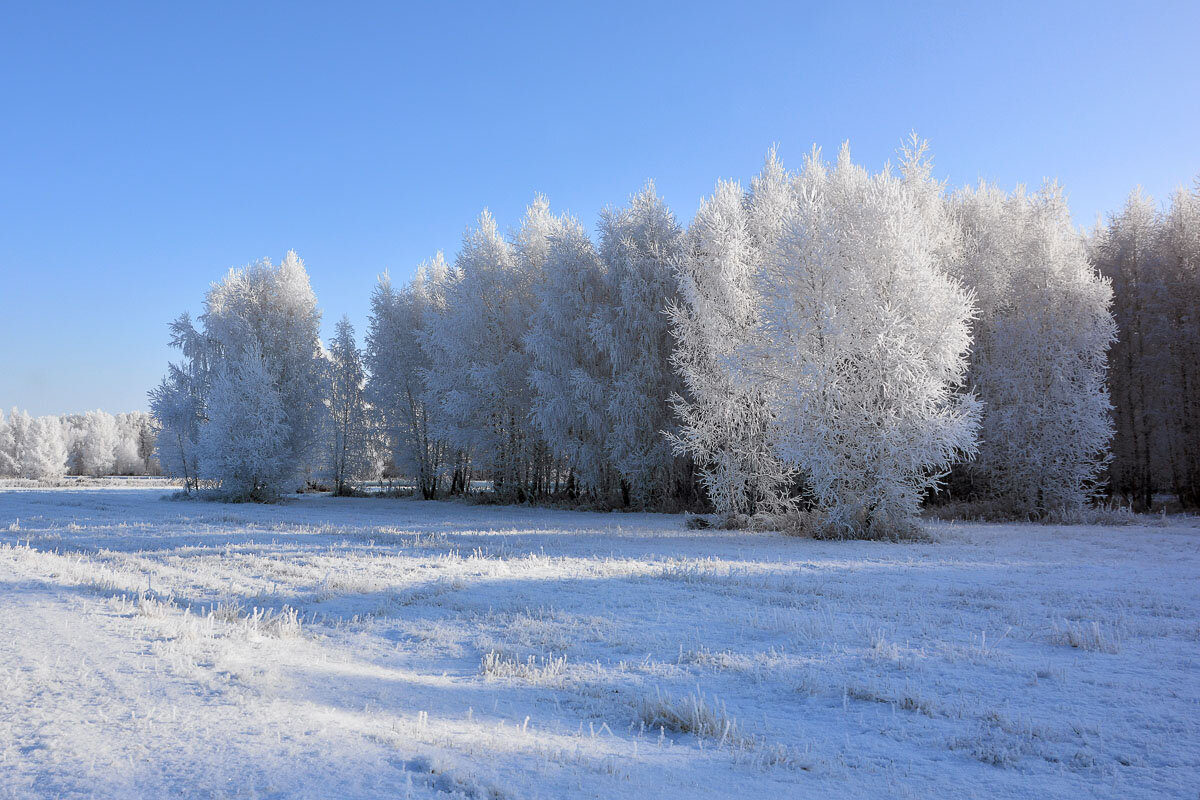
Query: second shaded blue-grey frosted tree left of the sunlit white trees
pixel 568 372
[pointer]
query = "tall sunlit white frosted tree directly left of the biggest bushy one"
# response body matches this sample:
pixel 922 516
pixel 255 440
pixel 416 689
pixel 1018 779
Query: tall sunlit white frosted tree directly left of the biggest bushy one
pixel 727 423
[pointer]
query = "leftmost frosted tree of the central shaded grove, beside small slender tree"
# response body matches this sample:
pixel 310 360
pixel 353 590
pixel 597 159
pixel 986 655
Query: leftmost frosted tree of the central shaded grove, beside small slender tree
pixel 399 364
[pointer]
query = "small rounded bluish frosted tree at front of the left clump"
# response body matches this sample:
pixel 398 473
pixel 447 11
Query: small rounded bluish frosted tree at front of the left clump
pixel 244 443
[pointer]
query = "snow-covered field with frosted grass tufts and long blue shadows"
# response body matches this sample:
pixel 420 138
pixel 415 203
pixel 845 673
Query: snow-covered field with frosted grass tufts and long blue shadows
pixel 371 648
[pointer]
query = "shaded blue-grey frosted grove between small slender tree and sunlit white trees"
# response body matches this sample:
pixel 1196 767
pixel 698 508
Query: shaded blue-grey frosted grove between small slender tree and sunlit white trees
pixel 539 362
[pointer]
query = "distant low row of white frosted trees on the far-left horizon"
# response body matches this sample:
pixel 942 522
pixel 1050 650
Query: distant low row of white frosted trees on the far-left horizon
pixel 97 443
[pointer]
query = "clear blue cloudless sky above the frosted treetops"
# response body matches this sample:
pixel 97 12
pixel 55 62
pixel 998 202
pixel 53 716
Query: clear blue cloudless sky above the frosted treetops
pixel 146 149
